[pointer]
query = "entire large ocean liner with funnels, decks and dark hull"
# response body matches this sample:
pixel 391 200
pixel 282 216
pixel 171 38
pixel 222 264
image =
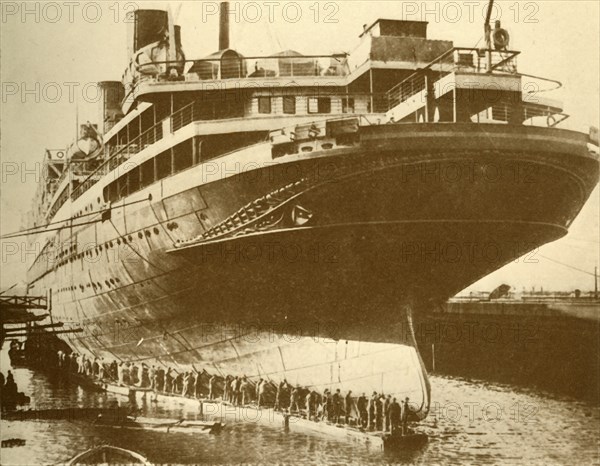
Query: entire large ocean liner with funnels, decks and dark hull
pixel 284 216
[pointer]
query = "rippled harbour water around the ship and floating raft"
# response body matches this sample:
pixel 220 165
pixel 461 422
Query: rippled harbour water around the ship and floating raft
pixel 470 422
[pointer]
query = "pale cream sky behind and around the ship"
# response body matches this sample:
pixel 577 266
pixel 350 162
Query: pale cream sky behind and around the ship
pixel 52 53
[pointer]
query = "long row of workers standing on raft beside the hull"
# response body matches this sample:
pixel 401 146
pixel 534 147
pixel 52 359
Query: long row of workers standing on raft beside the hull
pixel 377 412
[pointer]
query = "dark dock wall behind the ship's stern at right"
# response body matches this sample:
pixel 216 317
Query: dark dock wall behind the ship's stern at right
pixel 550 347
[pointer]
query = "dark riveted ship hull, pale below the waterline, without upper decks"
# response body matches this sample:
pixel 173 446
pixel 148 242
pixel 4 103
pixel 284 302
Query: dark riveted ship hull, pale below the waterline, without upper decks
pixel 350 243
